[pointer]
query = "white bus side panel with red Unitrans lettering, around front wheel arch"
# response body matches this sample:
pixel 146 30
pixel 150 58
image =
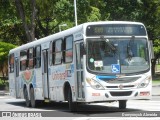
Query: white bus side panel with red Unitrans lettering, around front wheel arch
pixel 60 75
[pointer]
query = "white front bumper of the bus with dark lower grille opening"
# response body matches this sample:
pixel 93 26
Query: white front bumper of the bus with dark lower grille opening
pixel 114 95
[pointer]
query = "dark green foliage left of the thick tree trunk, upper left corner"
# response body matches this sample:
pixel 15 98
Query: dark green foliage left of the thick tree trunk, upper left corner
pixel 10 26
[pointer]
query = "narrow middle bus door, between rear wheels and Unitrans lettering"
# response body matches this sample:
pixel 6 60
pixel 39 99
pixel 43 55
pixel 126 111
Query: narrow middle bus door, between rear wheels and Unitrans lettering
pixel 45 80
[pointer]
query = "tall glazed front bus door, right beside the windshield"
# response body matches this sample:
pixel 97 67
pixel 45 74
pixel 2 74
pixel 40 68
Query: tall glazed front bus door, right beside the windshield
pixel 79 69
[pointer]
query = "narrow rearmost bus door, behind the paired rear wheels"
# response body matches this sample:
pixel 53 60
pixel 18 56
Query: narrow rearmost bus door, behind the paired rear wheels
pixel 17 80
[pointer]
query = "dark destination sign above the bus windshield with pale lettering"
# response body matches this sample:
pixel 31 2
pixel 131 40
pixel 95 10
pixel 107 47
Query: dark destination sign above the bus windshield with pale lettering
pixel 116 30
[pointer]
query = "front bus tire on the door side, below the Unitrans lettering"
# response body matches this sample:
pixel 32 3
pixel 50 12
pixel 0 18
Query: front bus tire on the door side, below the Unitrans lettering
pixel 72 105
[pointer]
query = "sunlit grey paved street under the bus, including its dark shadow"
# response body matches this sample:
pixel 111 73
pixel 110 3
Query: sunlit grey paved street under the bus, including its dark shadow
pixel 86 112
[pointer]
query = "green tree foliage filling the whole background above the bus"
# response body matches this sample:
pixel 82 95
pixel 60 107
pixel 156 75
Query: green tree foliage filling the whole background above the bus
pixel 23 21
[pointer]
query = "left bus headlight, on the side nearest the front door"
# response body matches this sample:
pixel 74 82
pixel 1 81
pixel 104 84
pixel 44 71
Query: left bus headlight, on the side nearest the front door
pixel 94 84
